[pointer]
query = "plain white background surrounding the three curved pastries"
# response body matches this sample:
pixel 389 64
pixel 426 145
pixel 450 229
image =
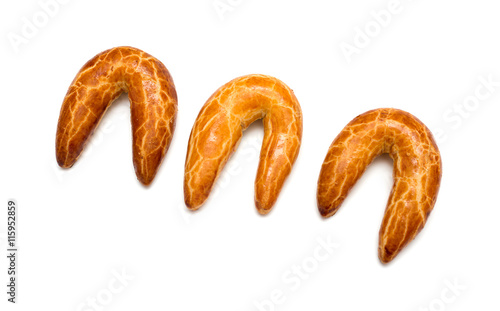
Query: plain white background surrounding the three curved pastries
pixel 80 227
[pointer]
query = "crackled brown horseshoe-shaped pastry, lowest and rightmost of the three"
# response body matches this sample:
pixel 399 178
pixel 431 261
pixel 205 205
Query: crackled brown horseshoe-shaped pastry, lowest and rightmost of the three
pixel 417 172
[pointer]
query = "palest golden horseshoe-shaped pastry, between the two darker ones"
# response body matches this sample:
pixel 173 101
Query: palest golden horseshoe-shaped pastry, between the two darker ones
pixel 218 129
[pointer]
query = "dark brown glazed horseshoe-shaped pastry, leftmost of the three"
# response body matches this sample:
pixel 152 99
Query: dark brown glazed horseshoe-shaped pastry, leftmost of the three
pixel 153 105
